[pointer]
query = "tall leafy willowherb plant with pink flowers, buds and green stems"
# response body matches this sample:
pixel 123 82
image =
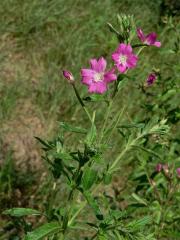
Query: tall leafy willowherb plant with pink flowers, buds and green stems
pixel 86 211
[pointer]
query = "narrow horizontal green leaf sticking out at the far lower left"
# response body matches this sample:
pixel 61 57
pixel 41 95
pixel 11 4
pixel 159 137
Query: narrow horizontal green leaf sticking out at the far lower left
pixel 20 212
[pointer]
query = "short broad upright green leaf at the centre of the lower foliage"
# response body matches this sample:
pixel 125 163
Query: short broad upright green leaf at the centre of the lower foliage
pixel 89 178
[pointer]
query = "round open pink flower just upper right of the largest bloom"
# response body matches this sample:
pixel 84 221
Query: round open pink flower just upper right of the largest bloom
pixel 124 57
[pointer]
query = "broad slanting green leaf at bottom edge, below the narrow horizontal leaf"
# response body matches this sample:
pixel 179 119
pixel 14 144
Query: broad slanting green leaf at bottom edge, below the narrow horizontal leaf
pixel 43 231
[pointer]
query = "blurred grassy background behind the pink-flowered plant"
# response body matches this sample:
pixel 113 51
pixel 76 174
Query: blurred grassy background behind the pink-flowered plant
pixel 39 38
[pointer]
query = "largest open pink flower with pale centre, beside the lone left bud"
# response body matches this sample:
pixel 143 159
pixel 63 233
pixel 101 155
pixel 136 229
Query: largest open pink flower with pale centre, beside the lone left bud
pixel 96 78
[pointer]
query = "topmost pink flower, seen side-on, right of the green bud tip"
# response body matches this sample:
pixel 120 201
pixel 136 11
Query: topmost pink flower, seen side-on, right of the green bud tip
pixel 149 39
